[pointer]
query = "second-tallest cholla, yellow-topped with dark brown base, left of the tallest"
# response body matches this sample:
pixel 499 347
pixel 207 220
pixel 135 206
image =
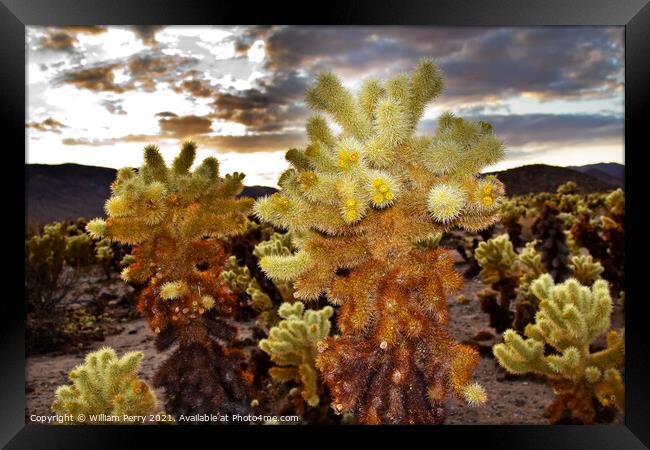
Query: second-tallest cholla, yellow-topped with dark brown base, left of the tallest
pixel 174 219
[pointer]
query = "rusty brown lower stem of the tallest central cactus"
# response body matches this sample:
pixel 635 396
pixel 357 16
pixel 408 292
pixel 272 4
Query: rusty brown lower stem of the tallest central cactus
pixel 399 367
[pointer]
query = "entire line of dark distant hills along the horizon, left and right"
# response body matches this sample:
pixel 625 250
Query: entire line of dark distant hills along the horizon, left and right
pixel 69 191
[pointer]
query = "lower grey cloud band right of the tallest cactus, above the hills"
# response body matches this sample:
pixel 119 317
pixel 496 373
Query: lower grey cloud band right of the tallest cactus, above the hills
pixel 525 129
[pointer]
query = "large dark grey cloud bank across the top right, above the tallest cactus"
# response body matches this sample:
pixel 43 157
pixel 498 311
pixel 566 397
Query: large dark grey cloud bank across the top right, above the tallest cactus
pixel 547 62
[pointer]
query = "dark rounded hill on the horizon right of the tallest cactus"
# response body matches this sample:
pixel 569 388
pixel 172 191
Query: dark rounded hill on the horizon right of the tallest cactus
pixel 536 178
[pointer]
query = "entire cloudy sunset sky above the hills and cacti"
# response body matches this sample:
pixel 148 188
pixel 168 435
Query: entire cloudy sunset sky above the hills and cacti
pixel 96 95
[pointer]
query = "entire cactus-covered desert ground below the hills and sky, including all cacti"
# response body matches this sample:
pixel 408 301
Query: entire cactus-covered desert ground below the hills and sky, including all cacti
pixel 388 279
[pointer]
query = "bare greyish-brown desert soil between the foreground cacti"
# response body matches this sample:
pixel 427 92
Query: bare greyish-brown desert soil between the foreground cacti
pixel 512 400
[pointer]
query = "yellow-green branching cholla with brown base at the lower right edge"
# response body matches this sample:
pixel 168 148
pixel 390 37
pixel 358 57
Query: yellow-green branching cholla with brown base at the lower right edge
pixel 569 319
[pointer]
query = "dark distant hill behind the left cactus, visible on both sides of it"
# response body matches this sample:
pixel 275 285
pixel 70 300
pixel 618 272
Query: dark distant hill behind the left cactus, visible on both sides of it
pixel 69 191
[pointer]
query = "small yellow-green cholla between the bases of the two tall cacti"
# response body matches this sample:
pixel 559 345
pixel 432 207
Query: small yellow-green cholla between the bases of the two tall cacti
pixel 292 346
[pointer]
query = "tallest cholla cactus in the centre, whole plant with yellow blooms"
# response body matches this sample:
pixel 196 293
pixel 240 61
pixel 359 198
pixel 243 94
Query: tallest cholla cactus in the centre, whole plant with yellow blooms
pixel 362 198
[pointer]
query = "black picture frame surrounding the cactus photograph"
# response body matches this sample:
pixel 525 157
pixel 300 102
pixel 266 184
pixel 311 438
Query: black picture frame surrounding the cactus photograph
pixel 634 15
